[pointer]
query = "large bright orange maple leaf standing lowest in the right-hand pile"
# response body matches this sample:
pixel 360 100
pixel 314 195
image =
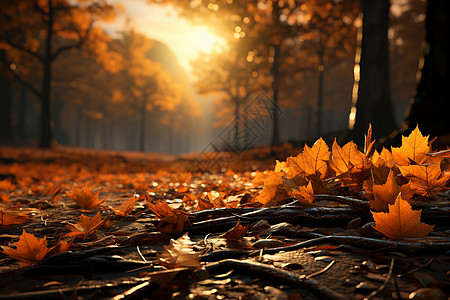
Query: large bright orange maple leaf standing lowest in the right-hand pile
pixel 401 221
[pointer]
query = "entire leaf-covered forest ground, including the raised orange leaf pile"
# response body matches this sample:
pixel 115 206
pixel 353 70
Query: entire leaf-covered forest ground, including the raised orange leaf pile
pixel 321 222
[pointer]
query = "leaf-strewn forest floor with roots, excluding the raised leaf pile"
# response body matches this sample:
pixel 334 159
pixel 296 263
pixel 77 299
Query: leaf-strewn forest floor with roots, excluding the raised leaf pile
pixel 328 250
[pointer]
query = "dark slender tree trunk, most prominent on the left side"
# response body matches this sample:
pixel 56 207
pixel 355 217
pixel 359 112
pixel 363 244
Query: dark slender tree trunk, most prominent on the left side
pixel 47 139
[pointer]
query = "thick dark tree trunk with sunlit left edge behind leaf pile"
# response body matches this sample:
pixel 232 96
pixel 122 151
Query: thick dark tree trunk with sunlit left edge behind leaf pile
pixel 374 104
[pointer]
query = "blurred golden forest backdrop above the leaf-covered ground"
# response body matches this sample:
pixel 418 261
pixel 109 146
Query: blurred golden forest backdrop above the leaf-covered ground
pixel 326 67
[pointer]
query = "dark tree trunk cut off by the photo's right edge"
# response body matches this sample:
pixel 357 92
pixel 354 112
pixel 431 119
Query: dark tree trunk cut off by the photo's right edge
pixel 430 107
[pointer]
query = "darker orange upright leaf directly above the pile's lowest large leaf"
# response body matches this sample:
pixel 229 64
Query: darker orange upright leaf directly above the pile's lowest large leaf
pixel 385 194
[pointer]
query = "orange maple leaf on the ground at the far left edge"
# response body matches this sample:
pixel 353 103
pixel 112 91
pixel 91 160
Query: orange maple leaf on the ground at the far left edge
pixel 29 249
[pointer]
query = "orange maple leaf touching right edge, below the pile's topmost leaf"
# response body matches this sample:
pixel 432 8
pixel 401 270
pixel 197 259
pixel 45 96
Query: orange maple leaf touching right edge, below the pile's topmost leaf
pixel 425 179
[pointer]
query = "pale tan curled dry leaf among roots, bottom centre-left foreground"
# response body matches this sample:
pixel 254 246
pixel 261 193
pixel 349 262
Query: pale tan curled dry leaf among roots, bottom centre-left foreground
pixel 180 254
